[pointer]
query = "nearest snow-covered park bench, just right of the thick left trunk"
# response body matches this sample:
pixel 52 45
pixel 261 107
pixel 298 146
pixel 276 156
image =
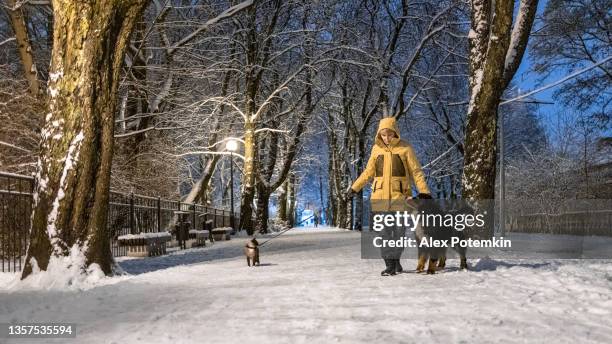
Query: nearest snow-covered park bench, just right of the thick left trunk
pixel 145 244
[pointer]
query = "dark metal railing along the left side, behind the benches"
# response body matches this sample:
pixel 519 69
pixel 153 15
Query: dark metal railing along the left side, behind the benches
pixel 127 214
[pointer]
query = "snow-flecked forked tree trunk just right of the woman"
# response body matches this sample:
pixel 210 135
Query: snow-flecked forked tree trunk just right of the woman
pixel 496 50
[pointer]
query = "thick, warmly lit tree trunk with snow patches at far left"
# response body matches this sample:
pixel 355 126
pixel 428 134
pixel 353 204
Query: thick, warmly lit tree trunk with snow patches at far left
pixel 73 173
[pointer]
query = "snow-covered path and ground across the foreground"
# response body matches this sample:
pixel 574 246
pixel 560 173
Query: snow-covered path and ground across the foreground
pixel 313 287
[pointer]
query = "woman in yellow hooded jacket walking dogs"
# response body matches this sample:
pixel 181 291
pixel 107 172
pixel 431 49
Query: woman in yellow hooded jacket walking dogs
pixel 395 168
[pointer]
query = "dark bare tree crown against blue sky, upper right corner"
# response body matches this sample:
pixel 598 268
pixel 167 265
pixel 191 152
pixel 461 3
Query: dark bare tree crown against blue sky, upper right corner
pixel 571 34
